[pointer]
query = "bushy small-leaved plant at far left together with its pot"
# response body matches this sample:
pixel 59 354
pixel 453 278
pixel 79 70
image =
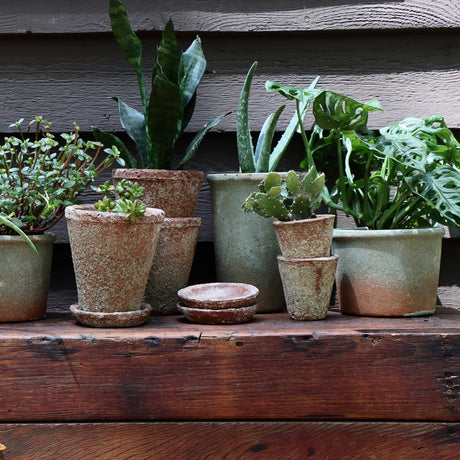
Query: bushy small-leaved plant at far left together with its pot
pixel 39 177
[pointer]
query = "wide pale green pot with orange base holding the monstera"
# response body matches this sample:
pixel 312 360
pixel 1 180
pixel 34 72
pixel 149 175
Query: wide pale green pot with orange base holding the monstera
pixel 388 272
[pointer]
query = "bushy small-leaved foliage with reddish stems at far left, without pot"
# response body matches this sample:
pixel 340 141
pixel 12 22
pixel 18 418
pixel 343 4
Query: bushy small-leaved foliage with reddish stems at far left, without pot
pixel 40 176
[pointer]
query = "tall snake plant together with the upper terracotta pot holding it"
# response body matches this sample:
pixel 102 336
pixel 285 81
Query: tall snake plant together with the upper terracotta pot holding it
pixel 165 114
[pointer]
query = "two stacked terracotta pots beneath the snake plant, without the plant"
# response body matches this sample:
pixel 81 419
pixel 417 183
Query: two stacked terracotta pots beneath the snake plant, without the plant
pixel 176 193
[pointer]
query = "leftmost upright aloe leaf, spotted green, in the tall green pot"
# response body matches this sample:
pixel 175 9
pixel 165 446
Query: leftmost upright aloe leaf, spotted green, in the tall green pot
pixel 243 132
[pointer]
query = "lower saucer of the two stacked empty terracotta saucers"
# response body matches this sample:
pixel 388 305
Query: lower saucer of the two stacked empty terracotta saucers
pixel 226 316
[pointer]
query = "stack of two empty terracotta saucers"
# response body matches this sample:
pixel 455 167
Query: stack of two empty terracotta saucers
pixel 218 303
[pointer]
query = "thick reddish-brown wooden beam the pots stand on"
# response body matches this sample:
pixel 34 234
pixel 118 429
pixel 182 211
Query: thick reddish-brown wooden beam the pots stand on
pixel 338 369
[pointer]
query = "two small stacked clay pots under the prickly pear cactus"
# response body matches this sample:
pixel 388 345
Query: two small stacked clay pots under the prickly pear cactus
pixel 306 267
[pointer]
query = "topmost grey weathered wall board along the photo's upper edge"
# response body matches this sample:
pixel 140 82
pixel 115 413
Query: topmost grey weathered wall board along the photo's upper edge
pixel 85 16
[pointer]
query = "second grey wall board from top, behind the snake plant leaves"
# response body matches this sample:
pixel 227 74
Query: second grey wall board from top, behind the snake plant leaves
pixel 412 75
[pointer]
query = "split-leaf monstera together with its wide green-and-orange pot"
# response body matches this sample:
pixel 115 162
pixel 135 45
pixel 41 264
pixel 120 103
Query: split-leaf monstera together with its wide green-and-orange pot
pixel 398 184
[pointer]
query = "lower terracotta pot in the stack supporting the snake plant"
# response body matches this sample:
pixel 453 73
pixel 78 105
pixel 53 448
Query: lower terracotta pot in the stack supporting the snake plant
pixel 172 263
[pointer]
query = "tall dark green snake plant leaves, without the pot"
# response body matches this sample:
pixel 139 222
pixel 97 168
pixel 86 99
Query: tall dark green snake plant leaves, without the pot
pixel 168 109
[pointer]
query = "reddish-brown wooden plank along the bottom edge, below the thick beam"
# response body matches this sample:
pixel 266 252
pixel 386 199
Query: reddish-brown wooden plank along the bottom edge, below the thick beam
pixel 248 440
